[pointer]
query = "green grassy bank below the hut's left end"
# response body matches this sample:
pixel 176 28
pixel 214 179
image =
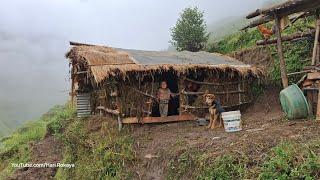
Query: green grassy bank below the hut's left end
pixel 102 154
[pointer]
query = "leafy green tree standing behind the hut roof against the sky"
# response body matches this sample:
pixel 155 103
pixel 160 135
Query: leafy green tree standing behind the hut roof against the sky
pixel 189 32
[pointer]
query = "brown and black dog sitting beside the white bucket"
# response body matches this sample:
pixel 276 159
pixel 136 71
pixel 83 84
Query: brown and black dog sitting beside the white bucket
pixel 215 117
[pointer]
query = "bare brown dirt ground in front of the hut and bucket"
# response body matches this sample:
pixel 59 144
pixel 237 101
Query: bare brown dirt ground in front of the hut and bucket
pixel 264 126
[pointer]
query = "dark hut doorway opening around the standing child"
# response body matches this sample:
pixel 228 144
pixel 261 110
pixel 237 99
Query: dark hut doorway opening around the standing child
pixel 174 103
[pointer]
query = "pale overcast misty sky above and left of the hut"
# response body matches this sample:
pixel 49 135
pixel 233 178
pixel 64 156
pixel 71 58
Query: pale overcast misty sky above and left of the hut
pixel 34 37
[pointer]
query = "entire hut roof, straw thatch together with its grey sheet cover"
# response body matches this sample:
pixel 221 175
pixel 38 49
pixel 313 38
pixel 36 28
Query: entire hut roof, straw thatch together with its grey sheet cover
pixel 103 62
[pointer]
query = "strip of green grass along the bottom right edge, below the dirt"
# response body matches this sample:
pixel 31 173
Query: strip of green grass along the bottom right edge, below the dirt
pixel 287 160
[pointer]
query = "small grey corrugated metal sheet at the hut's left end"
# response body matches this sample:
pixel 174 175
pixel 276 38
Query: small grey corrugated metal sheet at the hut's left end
pixel 83 105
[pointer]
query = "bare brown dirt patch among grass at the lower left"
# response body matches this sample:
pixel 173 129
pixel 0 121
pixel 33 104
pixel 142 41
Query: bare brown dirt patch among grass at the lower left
pixel 48 150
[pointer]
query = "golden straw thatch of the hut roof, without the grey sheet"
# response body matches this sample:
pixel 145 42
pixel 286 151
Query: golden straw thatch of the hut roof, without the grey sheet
pixel 101 66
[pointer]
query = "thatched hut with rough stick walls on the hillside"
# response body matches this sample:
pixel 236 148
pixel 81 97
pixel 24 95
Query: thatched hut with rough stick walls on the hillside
pixel 124 82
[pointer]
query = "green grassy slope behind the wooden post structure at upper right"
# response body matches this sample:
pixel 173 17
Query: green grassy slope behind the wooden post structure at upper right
pixel 297 54
